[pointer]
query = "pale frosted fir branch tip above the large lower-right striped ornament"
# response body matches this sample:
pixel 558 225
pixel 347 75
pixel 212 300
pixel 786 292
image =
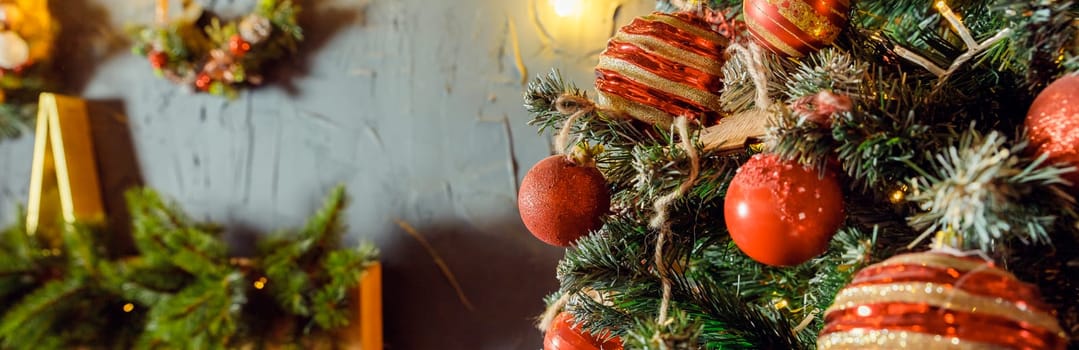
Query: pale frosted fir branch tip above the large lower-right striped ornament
pixel 989 193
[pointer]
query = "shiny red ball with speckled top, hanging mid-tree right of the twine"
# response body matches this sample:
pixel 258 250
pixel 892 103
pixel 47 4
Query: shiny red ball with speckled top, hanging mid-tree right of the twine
pixel 781 213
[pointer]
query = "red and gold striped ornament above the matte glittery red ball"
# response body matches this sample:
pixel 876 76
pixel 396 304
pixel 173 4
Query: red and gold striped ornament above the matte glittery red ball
pixel 663 66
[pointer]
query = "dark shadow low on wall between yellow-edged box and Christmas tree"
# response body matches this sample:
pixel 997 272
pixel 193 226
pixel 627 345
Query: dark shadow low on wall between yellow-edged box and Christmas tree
pixel 506 274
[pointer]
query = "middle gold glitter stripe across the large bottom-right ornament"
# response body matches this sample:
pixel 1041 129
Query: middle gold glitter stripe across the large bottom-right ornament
pixel 941 297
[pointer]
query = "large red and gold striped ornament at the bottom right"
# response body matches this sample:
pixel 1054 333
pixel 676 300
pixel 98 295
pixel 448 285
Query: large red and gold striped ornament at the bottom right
pixel 937 301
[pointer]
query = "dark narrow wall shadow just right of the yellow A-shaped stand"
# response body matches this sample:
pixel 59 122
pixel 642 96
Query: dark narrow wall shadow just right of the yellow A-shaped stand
pixel 117 167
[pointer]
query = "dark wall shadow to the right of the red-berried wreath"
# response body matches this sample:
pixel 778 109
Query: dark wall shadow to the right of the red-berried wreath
pixel 321 23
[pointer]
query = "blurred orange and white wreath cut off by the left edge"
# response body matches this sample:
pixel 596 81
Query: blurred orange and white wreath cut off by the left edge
pixel 28 33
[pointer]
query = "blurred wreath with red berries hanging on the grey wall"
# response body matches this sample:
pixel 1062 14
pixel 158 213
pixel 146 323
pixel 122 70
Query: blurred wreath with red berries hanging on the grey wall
pixel 199 51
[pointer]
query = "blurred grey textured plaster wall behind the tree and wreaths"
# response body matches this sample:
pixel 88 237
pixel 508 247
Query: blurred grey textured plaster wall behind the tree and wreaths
pixel 416 105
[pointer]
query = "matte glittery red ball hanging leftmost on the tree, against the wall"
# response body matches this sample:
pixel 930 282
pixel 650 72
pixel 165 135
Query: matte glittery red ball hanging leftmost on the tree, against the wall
pixel 562 201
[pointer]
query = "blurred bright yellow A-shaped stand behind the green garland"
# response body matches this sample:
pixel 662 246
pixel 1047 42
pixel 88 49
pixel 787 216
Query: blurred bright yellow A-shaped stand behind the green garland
pixel 64 177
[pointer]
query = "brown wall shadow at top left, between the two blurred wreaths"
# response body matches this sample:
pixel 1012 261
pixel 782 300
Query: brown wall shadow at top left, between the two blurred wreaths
pixel 87 39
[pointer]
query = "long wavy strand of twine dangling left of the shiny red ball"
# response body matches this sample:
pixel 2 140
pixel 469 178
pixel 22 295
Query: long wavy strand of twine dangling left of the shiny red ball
pixel 660 220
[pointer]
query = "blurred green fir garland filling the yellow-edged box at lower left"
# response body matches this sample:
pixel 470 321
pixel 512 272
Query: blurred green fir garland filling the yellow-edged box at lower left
pixel 181 290
